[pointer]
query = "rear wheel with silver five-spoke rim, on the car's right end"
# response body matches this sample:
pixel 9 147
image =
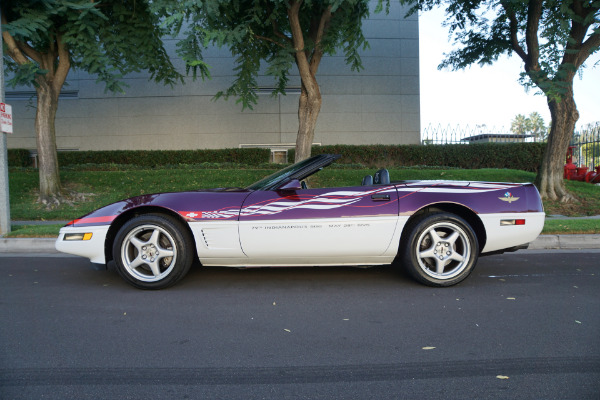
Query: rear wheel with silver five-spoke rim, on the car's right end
pixel 441 249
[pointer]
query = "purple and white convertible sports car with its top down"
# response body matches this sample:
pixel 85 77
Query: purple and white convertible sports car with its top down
pixel 435 229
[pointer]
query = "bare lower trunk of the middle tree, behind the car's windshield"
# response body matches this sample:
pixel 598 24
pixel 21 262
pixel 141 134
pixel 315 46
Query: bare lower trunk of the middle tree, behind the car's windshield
pixel 308 111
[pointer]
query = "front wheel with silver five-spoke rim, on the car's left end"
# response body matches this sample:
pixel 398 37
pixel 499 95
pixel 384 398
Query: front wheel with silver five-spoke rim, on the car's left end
pixel 153 251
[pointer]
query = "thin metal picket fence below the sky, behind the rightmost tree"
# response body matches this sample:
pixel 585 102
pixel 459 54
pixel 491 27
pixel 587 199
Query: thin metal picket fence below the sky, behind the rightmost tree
pixel 586 140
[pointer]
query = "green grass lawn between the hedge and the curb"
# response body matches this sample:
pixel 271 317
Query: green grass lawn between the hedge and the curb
pixel 98 188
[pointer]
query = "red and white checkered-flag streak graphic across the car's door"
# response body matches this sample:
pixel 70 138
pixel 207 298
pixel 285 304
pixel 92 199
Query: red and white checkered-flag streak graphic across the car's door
pixel 325 201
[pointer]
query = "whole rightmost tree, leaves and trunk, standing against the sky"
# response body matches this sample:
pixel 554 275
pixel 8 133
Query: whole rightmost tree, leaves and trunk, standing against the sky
pixel 553 38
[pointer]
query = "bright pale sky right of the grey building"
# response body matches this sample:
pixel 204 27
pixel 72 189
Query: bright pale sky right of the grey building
pixel 489 95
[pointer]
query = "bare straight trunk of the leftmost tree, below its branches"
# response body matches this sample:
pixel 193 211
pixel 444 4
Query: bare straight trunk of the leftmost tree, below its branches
pixel 47 104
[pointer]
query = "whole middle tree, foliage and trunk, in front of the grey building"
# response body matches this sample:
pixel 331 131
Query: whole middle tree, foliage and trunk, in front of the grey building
pixel 271 36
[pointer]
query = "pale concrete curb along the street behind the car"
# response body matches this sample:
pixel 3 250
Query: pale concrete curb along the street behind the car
pixel 543 242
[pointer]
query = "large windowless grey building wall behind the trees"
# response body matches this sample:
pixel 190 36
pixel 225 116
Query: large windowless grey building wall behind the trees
pixel 379 105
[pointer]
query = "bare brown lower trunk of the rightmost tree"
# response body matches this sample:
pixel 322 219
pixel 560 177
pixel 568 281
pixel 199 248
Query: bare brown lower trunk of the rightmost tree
pixel 550 180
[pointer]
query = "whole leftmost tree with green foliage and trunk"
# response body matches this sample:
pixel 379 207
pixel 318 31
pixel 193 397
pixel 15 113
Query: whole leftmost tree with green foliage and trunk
pixel 44 40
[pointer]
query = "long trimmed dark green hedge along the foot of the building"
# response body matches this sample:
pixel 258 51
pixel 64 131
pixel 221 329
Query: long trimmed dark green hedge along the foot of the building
pixel 522 156
